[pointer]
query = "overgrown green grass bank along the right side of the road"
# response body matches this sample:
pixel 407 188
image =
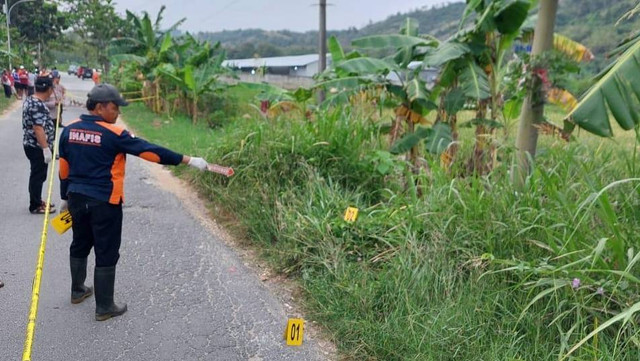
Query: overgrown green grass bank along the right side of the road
pixel 413 278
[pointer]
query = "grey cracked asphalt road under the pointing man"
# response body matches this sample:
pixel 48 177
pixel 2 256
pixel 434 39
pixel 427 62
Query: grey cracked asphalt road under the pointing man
pixel 189 295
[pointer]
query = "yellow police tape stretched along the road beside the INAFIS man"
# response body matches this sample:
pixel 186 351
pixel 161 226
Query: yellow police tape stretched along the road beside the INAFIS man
pixel 35 293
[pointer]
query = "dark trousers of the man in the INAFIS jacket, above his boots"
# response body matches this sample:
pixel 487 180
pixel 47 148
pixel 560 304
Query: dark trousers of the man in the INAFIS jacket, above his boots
pixel 95 224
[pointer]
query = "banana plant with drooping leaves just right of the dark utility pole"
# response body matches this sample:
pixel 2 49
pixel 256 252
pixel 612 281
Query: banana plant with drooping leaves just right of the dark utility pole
pixel 398 75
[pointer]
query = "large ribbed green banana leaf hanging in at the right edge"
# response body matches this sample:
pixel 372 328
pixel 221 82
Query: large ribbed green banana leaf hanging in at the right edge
pixel 617 92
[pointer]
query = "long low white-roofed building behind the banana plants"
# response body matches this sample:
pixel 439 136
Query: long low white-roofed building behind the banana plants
pixel 296 65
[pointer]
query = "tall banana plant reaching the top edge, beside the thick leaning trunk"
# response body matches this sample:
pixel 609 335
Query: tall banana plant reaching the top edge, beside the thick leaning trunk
pixel 472 64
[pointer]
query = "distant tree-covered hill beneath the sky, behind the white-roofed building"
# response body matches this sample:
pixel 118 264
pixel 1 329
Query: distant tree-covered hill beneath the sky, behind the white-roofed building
pixel 591 22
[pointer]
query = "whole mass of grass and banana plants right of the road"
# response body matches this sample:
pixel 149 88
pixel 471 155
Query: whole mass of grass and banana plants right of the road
pixel 451 257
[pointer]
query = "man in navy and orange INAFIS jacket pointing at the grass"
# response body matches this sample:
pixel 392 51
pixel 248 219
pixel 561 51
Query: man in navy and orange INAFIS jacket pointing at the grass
pixel 92 168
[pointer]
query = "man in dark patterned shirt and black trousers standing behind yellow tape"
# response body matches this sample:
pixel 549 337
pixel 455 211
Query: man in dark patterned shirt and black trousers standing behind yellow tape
pixel 38 136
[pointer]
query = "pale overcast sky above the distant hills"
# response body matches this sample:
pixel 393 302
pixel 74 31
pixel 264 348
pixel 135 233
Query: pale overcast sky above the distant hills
pixel 296 15
